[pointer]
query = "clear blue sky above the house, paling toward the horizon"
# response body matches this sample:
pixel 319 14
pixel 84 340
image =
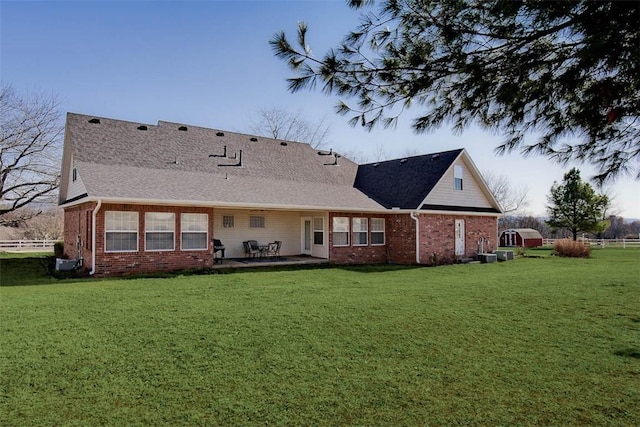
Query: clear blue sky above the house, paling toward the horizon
pixel 209 63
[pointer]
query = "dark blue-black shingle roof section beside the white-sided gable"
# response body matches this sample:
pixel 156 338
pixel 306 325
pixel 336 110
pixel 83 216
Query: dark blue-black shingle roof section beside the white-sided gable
pixel 404 183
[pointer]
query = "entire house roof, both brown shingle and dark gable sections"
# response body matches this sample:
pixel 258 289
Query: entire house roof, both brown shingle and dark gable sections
pixel 171 163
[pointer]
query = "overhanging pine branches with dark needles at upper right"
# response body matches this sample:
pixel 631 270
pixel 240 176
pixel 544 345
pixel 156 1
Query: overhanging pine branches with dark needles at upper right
pixel 565 73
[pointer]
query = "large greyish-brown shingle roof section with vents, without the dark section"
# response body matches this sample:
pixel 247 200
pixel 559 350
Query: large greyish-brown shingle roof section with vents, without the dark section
pixel 118 160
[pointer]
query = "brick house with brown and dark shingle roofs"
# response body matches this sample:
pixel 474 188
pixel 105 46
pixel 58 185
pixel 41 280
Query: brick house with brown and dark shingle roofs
pixel 140 198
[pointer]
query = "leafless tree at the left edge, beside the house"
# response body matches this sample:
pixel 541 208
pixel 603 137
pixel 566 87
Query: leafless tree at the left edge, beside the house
pixel 30 151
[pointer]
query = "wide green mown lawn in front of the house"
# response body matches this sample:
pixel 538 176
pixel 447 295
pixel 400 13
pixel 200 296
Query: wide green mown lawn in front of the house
pixel 535 341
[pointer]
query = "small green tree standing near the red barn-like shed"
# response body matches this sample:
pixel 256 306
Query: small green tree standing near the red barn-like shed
pixel 576 206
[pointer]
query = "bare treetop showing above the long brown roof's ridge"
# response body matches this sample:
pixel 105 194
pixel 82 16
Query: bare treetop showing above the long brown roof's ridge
pixel 277 123
